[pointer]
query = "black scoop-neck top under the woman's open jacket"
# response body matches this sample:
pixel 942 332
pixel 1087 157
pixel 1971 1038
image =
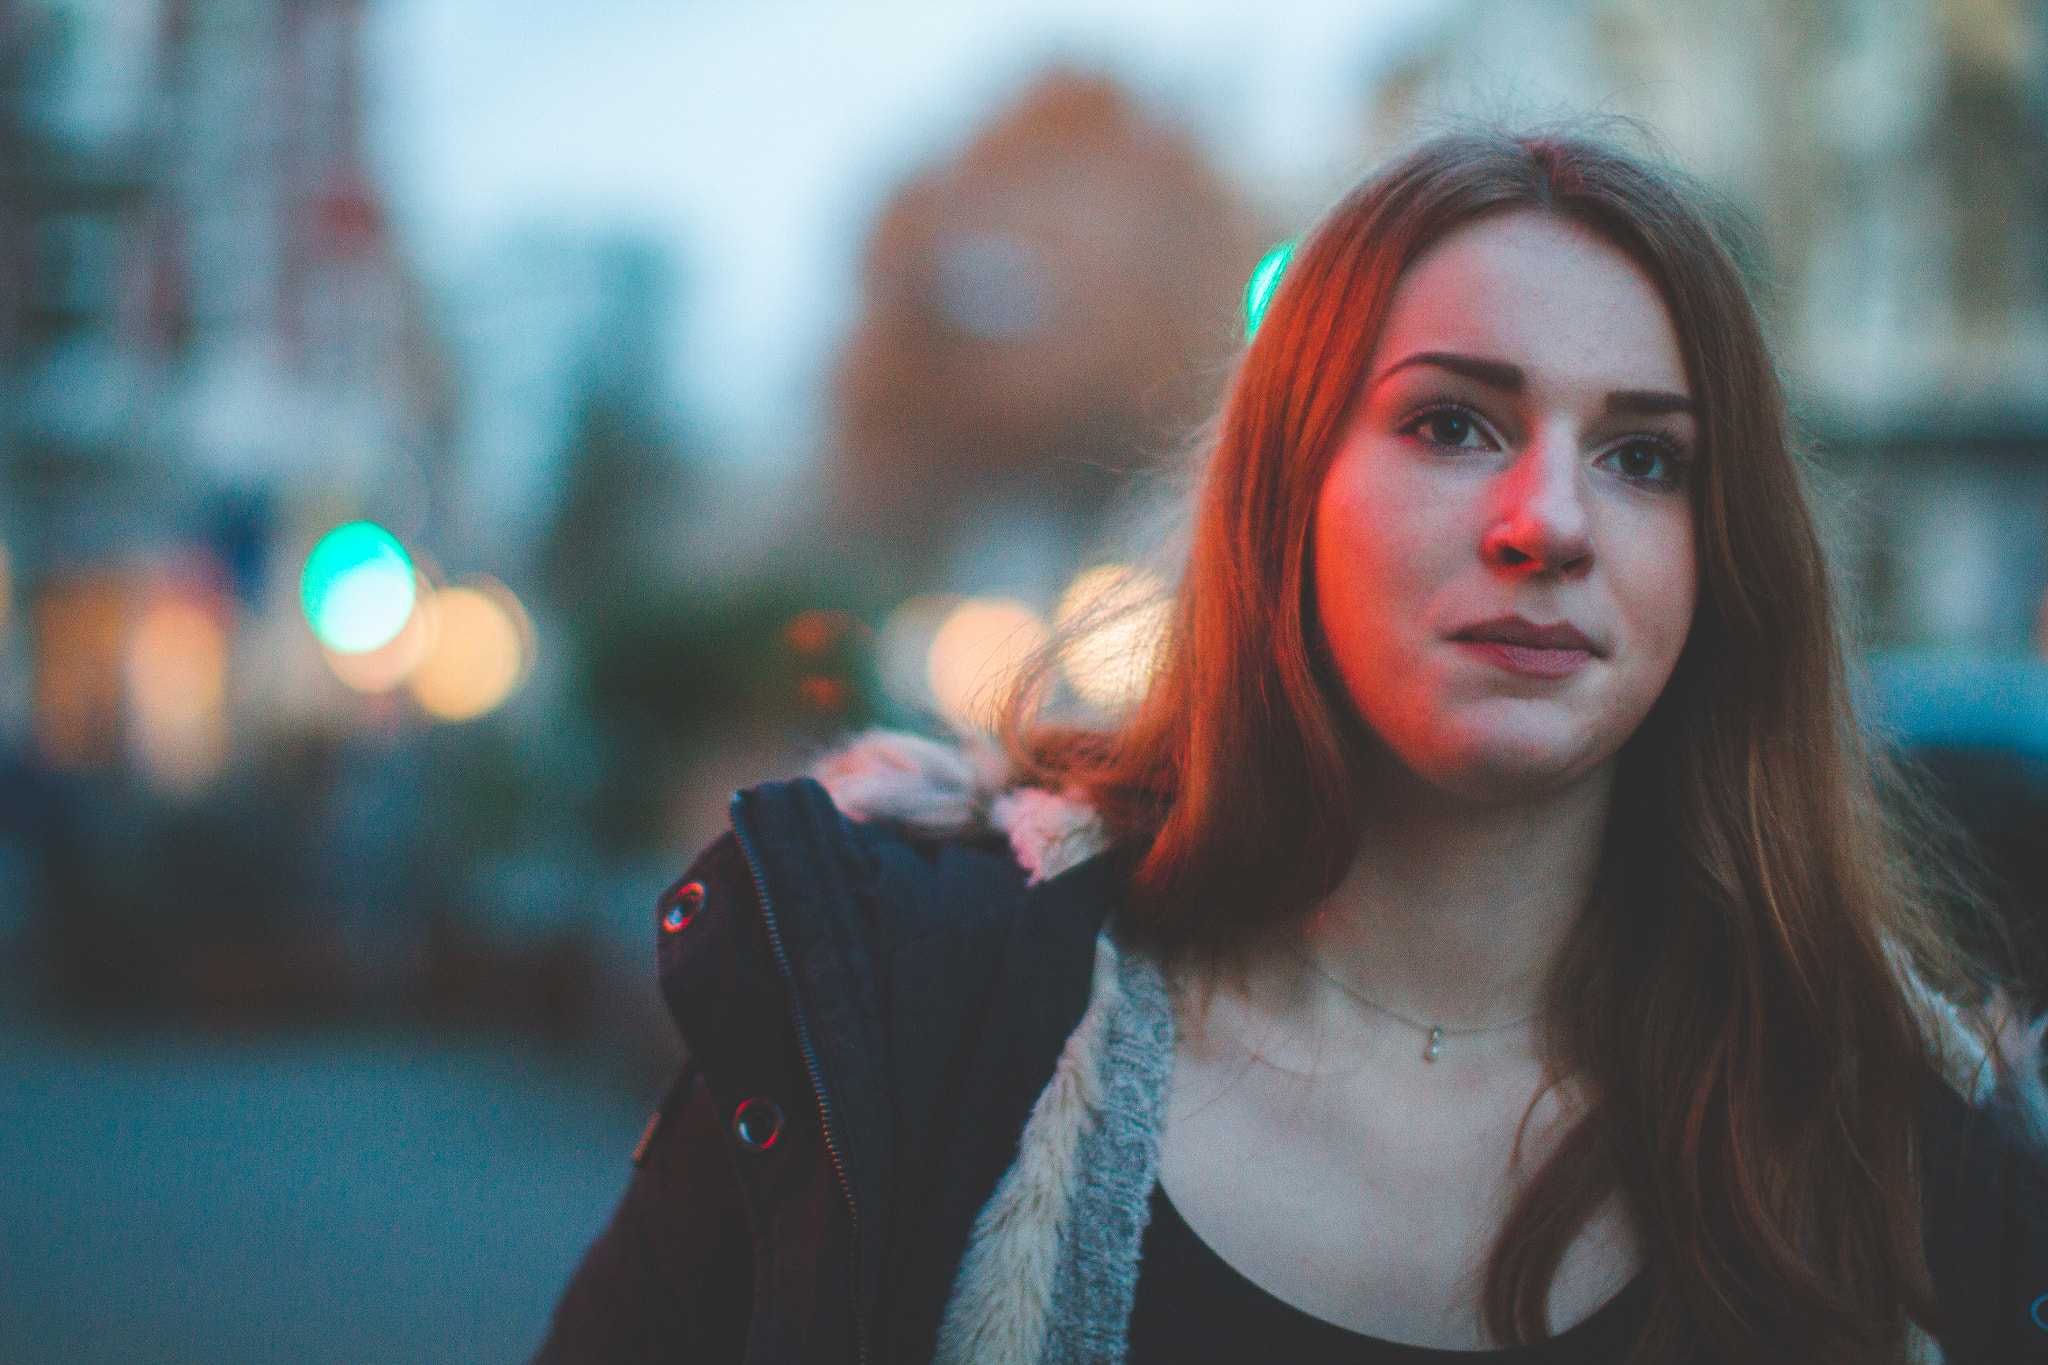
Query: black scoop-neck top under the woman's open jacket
pixel 1193 1309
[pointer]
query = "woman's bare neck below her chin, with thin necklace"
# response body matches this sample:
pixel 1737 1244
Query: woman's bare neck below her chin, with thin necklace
pixel 1455 914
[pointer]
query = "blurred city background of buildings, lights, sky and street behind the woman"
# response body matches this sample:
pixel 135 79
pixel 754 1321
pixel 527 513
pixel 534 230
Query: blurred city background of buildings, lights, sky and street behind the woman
pixel 450 445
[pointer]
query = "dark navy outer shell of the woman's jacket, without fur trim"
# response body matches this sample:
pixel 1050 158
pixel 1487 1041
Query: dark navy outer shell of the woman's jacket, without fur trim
pixel 869 1020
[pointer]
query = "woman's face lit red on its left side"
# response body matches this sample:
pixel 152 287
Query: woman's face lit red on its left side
pixel 1504 558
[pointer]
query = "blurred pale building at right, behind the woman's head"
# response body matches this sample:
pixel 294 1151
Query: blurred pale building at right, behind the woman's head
pixel 1895 157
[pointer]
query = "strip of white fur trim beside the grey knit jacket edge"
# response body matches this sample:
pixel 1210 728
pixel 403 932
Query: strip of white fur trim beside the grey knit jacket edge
pixel 1002 1298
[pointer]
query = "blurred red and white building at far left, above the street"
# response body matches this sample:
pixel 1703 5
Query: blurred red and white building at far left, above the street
pixel 212 353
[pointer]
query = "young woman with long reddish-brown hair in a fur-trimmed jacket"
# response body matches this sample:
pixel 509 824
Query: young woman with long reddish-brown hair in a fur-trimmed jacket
pixel 1484 942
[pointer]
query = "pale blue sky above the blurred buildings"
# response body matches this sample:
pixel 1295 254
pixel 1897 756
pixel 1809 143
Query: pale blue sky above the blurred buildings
pixel 759 140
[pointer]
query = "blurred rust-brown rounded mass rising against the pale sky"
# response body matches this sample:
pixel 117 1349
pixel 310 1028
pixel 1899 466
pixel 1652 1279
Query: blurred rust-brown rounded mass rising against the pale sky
pixel 1041 316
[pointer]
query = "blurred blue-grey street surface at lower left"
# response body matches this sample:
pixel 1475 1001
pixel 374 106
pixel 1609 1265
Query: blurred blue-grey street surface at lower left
pixel 296 1200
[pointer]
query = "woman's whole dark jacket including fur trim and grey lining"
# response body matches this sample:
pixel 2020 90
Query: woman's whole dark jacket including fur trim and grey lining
pixel 925 1092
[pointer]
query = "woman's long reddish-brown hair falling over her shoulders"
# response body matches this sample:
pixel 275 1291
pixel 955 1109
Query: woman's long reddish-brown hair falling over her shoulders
pixel 1734 996
